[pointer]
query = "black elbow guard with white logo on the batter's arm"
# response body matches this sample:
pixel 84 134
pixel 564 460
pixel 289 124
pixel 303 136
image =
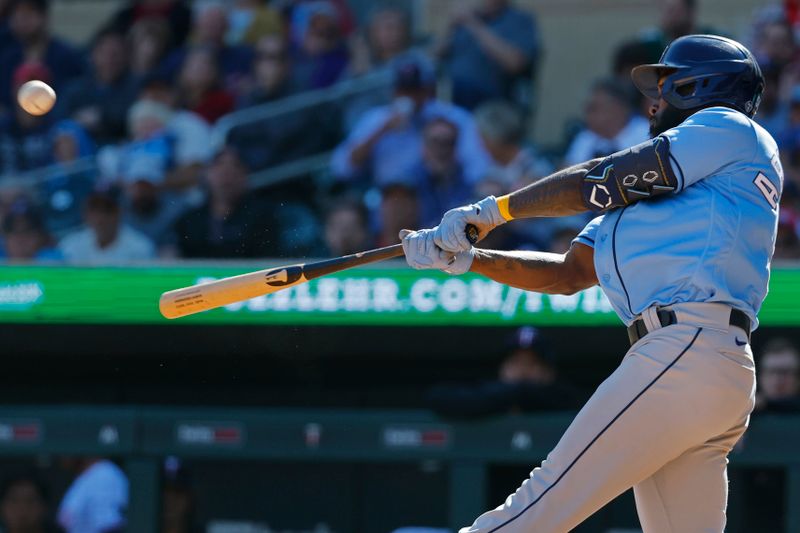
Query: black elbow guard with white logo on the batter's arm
pixel 637 173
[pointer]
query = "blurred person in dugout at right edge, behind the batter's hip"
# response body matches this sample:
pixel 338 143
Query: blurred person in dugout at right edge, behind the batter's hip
pixel 779 378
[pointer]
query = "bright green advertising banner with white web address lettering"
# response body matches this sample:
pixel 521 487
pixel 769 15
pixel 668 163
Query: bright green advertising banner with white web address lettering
pixel 390 296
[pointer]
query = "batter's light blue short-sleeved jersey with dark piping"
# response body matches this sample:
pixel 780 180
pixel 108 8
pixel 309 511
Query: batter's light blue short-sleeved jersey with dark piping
pixel 712 240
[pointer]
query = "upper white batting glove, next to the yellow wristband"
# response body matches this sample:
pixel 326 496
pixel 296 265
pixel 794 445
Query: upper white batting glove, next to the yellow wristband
pixel 451 233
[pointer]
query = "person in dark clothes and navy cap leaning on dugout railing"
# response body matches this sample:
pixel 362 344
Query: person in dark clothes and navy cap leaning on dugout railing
pixel 527 380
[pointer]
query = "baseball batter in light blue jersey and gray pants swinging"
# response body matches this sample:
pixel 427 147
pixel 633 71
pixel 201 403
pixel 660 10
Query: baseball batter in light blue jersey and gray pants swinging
pixel 682 248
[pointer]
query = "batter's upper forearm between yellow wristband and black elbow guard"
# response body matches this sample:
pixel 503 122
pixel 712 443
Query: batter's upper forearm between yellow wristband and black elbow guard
pixel 556 195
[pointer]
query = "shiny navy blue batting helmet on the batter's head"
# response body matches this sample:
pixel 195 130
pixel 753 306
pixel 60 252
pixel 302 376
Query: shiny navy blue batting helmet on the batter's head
pixel 702 70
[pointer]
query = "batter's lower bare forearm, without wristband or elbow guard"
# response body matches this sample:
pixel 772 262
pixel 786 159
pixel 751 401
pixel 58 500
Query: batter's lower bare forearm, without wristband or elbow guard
pixel 531 271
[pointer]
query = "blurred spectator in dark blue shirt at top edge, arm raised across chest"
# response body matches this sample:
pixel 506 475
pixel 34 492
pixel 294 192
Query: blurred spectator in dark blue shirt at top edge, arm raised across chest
pixel 491 53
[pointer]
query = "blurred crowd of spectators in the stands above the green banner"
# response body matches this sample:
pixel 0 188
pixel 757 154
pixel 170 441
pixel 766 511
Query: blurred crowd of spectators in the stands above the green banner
pixel 155 147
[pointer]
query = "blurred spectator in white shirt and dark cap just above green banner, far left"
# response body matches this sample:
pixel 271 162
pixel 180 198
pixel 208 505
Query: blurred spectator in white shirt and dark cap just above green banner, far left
pixel 105 239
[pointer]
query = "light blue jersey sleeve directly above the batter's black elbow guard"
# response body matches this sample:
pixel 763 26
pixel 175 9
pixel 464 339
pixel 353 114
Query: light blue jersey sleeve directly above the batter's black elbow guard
pixel 707 142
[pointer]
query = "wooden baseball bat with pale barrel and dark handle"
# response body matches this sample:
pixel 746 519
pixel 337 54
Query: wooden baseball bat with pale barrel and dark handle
pixel 197 298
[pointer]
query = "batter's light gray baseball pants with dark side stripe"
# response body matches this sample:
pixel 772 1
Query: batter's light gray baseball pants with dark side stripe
pixel 662 423
